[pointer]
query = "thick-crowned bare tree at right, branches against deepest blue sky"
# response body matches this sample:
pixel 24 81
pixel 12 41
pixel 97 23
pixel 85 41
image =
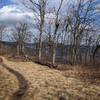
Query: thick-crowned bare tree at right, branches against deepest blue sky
pixel 80 20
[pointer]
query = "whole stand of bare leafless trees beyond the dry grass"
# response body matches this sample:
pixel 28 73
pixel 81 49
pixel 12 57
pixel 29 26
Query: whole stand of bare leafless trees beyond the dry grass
pixel 69 32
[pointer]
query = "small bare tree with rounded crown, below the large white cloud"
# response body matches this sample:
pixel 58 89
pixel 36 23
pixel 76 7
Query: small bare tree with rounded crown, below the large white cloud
pixel 21 34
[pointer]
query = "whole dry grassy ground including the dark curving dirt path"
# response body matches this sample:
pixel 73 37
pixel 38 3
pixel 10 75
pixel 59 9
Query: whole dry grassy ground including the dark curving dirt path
pixel 30 81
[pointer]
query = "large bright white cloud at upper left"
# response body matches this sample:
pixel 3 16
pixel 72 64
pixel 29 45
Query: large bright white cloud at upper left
pixel 12 14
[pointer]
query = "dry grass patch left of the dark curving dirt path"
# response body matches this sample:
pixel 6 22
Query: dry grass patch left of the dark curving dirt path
pixel 8 84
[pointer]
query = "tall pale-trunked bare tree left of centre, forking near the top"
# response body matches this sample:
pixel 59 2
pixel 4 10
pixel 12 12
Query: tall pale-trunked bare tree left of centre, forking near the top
pixel 39 9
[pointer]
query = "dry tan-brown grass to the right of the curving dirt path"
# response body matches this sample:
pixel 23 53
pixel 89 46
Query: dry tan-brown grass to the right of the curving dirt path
pixel 44 83
